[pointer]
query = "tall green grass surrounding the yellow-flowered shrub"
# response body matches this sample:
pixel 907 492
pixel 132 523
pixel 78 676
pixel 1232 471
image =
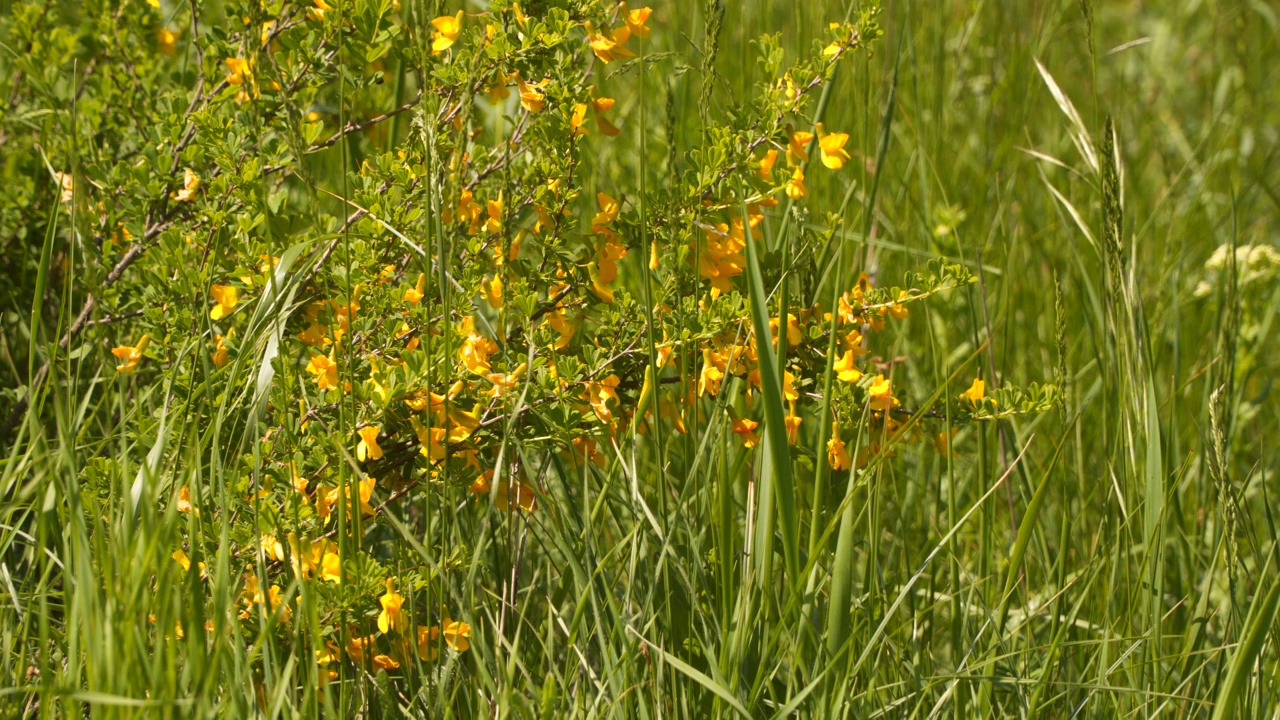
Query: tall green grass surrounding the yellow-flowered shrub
pixel 1114 557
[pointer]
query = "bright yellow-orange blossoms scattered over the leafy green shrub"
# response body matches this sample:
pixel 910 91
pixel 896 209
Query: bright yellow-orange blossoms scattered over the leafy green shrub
pixel 401 417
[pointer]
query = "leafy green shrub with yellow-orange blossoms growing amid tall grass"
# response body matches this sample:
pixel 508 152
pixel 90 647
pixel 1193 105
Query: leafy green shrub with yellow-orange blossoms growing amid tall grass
pixel 437 302
